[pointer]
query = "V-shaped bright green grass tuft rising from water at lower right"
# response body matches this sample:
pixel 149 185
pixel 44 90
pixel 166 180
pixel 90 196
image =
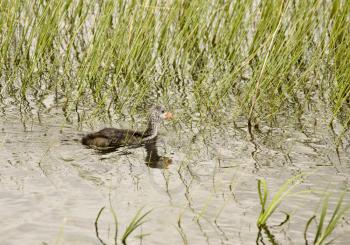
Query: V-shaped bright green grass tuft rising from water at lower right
pixel 268 209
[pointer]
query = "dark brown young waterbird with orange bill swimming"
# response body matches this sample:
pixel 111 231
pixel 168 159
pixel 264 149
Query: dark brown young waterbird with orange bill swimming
pixel 112 137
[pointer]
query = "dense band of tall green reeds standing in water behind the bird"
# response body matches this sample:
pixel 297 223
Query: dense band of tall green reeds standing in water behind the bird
pixel 257 57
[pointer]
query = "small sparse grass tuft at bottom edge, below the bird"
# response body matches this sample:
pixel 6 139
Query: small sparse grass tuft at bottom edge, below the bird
pixel 136 222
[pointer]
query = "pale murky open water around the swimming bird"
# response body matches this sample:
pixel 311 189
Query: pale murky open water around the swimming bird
pixel 200 182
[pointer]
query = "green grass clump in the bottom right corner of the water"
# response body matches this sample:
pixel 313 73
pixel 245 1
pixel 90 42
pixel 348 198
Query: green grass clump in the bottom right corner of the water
pixel 324 231
